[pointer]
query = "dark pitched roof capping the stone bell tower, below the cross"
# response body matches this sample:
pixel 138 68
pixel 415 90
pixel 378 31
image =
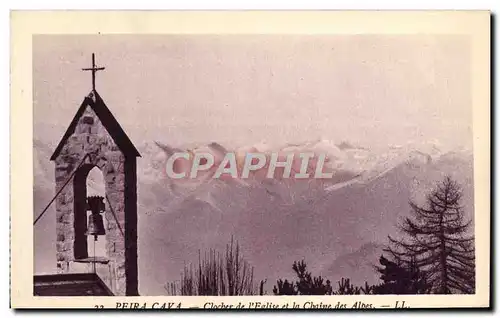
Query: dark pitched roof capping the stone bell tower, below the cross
pixel 109 122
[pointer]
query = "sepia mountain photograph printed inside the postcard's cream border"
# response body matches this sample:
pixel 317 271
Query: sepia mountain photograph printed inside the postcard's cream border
pixel 247 164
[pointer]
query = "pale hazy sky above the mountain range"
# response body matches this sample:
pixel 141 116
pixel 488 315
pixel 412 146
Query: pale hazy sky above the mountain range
pixel 238 90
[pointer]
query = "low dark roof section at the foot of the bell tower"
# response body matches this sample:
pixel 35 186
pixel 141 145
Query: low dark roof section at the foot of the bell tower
pixel 85 284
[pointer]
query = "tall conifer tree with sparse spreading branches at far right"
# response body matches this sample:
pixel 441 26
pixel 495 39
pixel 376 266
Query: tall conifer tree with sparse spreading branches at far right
pixel 437 241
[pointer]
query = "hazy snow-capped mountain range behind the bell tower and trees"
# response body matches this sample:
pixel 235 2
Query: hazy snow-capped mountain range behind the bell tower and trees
pixel 325 222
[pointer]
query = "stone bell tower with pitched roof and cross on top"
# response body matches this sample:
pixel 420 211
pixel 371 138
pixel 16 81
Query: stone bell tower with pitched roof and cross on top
pixel 95 139
